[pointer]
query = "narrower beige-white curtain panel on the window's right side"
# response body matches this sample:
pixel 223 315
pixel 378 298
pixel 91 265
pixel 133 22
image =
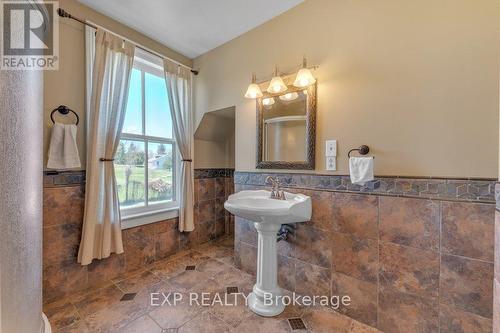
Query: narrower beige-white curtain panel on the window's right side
pixel 178 80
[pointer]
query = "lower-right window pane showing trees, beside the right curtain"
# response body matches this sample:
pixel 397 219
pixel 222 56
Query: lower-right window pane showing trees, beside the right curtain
pixel 160 166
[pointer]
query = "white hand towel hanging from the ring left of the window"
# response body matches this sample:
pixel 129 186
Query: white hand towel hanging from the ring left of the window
pixel 63 151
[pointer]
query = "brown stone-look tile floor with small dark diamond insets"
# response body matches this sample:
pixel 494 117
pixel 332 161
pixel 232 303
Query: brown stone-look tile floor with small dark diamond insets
pixel 124 304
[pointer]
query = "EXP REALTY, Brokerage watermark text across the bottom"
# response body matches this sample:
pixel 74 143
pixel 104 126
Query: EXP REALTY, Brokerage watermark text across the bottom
pixel 224 299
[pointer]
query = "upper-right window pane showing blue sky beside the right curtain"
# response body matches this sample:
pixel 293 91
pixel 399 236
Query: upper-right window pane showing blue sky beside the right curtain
pixel 158 118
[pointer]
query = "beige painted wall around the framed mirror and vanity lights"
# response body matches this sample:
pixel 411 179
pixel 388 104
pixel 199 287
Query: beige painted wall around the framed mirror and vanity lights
pixel 417 81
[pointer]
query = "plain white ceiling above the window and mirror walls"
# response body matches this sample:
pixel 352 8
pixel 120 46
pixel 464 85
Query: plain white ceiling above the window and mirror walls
pixel 191 27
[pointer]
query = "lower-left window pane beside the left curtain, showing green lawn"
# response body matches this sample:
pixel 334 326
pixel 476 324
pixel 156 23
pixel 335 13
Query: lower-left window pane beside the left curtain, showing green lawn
pixel 129 172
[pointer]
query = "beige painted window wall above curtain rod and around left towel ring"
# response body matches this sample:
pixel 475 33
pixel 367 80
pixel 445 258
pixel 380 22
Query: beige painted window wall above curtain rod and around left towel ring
pixel 67 85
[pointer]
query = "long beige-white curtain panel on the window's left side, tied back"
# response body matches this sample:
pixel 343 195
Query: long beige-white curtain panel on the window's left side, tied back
pixel 110 82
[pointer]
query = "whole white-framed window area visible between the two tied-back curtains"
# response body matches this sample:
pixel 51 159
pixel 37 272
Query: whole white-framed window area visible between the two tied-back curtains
pixel 146 160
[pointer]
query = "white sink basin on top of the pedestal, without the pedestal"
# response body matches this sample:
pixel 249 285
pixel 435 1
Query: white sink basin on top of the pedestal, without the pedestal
pixel 257 206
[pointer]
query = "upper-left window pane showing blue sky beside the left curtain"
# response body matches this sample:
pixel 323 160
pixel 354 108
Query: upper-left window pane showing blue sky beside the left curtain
pixel 133 115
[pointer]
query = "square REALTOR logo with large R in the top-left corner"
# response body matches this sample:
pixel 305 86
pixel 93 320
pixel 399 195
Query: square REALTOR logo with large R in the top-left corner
pixel 30 35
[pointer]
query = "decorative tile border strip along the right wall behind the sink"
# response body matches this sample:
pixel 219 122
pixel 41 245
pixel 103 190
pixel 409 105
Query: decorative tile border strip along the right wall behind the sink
pixel 480 190
